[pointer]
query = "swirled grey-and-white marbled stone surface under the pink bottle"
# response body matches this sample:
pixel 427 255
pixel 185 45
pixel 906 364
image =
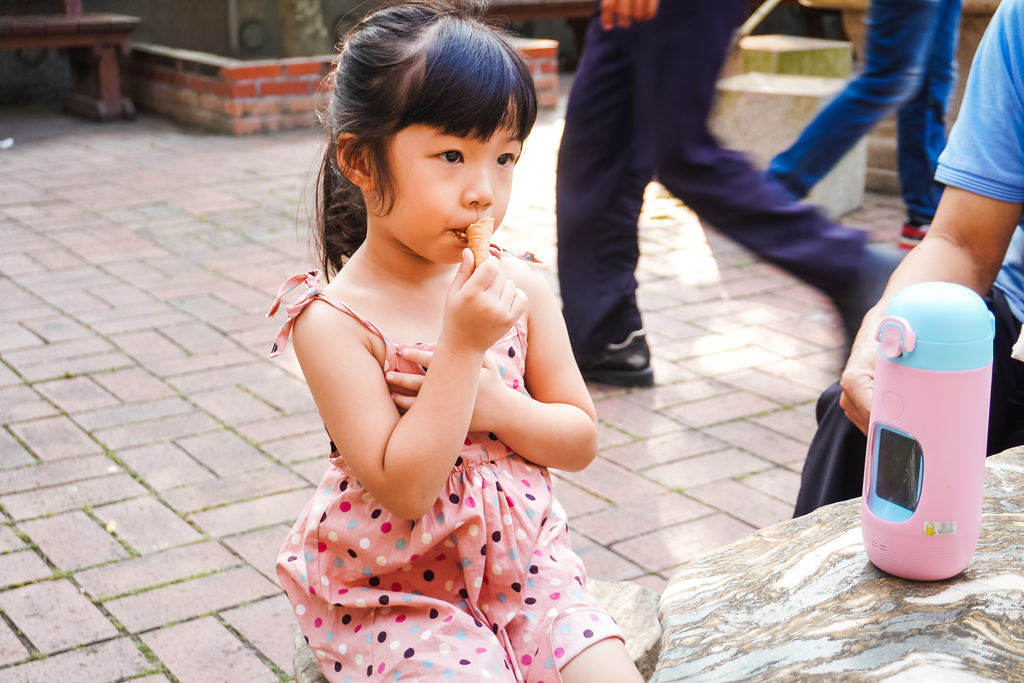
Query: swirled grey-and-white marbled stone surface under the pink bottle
pixel 801 602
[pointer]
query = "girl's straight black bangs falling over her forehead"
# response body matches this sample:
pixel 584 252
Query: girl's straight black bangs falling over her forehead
pixel 472 87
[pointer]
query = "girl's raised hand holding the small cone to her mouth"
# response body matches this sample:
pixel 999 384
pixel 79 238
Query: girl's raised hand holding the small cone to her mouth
pixel 481 307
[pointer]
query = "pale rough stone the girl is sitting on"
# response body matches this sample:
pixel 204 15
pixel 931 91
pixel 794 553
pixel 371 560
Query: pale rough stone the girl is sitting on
pixel 632 606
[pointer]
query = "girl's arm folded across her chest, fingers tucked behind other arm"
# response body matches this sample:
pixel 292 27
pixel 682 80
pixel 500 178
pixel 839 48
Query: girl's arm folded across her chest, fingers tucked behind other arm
pixel 557 424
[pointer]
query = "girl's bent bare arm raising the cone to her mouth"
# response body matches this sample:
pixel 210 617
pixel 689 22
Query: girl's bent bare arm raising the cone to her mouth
pixel 404 460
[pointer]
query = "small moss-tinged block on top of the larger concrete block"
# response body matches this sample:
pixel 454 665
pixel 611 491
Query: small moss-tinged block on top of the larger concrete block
pixel 797 56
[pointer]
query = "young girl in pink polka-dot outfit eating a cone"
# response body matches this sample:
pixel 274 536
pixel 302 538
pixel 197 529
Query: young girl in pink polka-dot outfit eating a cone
pixel 433 549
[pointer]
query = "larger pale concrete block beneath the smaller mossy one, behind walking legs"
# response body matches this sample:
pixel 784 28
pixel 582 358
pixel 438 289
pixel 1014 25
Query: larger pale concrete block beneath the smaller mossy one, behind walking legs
pixel 762 114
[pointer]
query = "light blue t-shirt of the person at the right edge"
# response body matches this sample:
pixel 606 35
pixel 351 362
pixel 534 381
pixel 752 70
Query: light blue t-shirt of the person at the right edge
pixel 986 151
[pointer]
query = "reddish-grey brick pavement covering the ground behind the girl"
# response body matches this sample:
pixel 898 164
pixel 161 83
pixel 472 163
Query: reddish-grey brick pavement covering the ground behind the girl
pixel 152 457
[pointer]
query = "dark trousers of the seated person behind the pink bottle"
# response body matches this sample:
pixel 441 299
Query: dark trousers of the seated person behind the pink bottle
pixel 835 467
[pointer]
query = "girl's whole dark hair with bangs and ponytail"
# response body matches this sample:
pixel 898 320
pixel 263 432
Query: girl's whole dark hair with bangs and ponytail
pixel 416 63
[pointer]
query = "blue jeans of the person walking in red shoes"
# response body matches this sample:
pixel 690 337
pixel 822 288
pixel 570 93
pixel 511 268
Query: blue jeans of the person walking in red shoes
pixel 911 66
